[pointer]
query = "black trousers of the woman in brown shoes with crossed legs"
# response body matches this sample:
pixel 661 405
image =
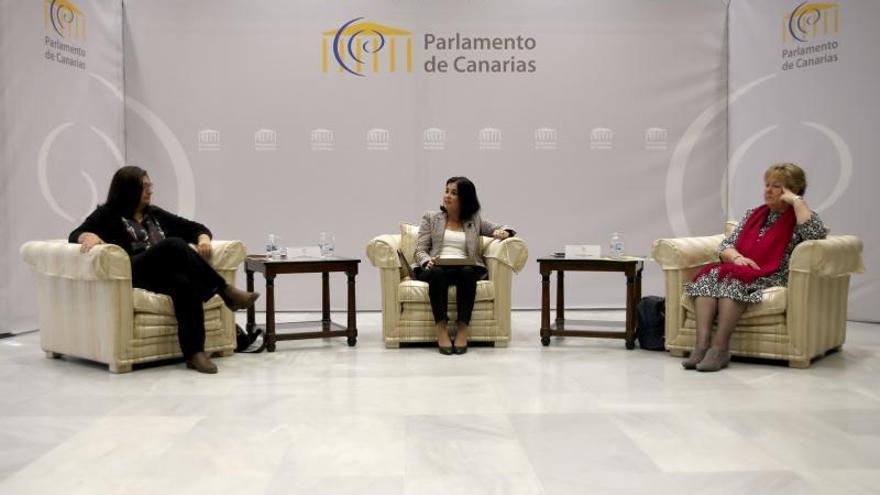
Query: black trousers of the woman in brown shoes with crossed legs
pixel 173 268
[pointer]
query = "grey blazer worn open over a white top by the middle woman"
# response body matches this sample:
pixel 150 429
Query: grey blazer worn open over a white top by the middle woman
pixel 433 227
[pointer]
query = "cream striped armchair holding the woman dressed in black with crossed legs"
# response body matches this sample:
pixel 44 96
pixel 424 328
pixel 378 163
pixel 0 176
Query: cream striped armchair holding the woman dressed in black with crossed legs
pixel 89 309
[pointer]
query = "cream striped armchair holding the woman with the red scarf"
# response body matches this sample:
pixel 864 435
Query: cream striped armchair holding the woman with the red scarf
pixel 797 323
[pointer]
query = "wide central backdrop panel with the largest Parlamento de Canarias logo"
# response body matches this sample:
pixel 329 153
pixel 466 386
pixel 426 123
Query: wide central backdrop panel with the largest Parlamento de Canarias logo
pixel 236 68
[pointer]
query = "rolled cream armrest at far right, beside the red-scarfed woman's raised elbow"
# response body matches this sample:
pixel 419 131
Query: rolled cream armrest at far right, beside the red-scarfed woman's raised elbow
pixel 835 256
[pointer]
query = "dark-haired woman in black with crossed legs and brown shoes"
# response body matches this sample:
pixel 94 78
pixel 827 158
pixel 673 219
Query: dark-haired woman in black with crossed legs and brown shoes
pixel 161 259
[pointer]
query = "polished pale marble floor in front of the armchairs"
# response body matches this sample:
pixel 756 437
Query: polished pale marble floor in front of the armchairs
pixel 317 417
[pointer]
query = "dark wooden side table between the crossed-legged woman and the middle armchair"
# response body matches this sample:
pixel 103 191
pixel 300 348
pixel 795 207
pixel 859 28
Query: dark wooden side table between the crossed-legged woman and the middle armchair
pixel 270 268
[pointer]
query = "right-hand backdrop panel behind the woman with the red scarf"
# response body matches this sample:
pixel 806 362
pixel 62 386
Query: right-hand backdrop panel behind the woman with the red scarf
pixel 819 110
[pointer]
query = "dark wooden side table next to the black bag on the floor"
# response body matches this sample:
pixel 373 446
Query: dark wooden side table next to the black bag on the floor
pixel 631 266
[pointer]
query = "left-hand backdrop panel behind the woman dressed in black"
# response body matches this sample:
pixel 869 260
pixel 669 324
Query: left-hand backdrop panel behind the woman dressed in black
pixel 61 130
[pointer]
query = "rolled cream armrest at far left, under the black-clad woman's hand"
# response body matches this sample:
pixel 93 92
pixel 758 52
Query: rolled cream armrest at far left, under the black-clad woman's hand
pixel 64 260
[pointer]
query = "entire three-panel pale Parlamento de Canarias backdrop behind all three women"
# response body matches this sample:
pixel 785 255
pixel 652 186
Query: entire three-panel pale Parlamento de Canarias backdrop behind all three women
pixel 619 123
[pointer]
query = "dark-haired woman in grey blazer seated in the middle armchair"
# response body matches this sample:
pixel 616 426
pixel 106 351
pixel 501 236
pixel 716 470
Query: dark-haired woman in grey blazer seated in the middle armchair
pixel 453 233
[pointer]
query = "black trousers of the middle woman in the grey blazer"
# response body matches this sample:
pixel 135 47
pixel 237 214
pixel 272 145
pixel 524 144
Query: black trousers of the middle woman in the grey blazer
pixel 464 278
